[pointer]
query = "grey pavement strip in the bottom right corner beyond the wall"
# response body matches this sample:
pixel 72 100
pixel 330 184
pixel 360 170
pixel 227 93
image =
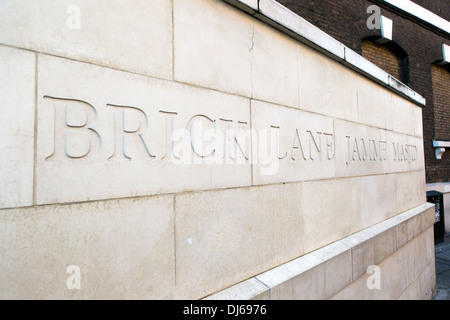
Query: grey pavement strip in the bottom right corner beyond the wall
pixel 442 253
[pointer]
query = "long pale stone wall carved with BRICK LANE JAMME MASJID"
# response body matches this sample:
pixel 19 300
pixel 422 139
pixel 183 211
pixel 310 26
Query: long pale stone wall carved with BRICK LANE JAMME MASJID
pixel 172 149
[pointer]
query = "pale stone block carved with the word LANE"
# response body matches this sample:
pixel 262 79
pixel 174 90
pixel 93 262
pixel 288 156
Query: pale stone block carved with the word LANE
pixel 290 145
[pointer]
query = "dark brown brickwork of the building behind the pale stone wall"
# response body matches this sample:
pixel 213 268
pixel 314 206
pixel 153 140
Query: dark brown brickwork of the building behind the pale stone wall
pixel 346 20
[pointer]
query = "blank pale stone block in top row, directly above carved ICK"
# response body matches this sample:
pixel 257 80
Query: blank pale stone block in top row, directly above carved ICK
pixel 216 56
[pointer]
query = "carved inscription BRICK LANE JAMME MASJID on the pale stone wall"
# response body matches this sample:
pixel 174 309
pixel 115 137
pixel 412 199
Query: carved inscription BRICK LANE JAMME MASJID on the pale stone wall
pixel 202 139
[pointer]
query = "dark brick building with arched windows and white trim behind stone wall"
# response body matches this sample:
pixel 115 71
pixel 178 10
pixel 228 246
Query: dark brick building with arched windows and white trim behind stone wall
pixel 416 51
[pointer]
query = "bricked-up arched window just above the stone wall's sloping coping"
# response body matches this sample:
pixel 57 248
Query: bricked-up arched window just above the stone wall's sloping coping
pixel 389 56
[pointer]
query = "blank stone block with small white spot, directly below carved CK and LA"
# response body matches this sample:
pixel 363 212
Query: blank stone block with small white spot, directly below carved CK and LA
pixel 226 236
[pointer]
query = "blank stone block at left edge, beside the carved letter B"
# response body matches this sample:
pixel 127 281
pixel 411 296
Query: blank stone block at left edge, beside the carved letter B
pixel 17 91
